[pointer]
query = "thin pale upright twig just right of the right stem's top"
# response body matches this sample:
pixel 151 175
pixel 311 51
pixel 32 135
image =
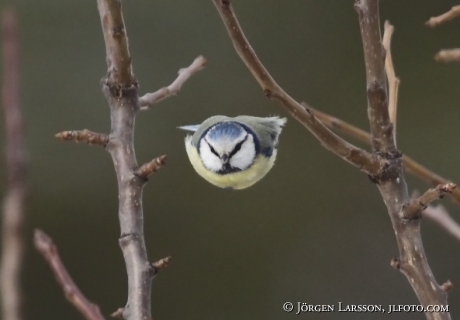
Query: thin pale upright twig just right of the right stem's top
pixel 393 81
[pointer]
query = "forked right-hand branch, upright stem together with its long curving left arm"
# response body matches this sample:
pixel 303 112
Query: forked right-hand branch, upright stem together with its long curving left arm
pixel 412 261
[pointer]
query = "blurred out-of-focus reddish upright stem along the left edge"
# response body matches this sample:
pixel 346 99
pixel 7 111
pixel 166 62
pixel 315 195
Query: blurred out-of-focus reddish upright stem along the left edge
pixel 13 207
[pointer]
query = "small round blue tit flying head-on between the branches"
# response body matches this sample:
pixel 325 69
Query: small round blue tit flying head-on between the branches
pixel 233 153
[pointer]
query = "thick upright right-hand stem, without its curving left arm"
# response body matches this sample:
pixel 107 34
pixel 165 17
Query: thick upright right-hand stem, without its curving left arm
pixel 412 261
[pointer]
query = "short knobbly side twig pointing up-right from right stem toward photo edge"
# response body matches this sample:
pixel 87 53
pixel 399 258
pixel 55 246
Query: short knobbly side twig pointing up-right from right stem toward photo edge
pixel 414 208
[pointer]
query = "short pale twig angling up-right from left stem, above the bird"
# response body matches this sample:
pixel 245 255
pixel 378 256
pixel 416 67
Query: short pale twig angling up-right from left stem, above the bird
pixel 149 99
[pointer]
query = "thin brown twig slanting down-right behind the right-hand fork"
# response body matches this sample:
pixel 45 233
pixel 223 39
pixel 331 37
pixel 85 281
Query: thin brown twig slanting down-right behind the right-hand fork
pixel 409 164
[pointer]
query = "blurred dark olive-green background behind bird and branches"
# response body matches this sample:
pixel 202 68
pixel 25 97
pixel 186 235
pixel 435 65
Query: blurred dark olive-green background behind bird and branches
pixel 315 230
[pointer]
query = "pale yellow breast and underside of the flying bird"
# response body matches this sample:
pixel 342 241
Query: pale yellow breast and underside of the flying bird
pixel 236 180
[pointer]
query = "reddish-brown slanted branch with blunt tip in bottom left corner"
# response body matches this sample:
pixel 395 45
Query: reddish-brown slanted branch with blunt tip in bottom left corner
pixel 45 245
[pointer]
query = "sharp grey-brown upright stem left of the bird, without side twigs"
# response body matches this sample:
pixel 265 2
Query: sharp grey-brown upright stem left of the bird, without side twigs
pixel 121 91
